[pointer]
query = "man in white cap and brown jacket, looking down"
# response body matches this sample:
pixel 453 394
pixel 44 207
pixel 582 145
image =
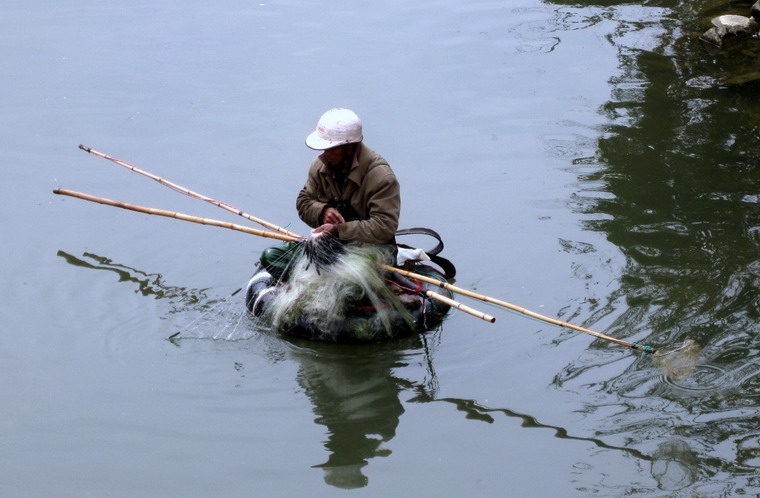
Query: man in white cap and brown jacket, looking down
pixel 351 191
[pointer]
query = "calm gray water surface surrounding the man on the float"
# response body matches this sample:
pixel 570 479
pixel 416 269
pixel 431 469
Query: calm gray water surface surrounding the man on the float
pixel 591 162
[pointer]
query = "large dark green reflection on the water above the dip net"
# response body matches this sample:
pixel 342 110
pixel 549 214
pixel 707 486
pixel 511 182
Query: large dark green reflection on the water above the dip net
pixel 680 170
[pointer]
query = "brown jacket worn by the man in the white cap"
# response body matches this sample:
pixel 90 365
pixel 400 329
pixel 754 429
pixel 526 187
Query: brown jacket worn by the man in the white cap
pixel 370 188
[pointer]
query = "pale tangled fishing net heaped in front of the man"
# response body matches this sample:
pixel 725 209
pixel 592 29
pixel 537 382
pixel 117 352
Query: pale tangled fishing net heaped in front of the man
pixel 331 290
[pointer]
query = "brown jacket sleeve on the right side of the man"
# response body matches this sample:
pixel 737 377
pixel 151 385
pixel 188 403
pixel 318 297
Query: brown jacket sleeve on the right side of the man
pixel 383 209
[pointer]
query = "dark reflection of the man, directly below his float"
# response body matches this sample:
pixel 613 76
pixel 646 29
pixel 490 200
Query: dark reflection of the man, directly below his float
pixel 355 394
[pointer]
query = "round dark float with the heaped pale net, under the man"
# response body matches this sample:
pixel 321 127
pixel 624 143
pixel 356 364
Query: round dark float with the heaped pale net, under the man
pixel 344 297
